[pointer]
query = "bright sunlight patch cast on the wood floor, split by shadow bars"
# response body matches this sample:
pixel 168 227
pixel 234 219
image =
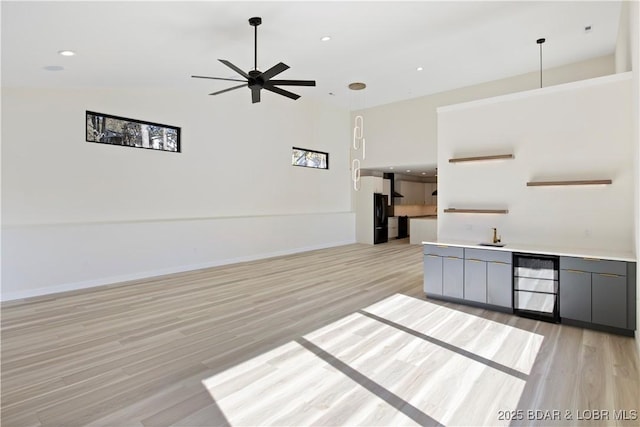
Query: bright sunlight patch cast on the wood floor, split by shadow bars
pixel 402 361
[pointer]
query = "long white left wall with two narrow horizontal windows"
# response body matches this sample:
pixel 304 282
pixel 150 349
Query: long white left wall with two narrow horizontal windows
pixel 77 213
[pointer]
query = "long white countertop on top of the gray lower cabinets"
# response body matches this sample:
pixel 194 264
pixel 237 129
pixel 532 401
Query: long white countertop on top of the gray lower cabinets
pixel 542 250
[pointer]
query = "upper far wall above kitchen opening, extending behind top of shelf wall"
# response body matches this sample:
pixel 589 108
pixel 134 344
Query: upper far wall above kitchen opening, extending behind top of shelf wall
pixel 405 133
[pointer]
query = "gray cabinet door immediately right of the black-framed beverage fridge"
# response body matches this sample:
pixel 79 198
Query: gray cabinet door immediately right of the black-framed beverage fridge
pixel 575 295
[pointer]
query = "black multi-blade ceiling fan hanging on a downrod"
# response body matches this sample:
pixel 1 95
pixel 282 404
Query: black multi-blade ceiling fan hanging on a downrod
pixel 257 80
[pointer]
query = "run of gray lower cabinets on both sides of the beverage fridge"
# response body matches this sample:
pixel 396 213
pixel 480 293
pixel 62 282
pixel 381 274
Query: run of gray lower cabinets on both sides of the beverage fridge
pixel 600 294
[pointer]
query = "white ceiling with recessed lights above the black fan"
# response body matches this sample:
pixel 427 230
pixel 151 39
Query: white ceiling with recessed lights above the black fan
pixel 160 44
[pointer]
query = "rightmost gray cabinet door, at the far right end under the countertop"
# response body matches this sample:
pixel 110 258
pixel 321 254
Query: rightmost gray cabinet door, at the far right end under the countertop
pixel 609 305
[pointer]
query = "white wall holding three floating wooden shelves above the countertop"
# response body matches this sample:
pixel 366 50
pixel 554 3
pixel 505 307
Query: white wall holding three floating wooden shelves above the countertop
pixel 580 130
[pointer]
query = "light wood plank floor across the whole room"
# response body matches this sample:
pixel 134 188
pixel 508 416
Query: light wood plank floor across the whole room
pixel 341 336
